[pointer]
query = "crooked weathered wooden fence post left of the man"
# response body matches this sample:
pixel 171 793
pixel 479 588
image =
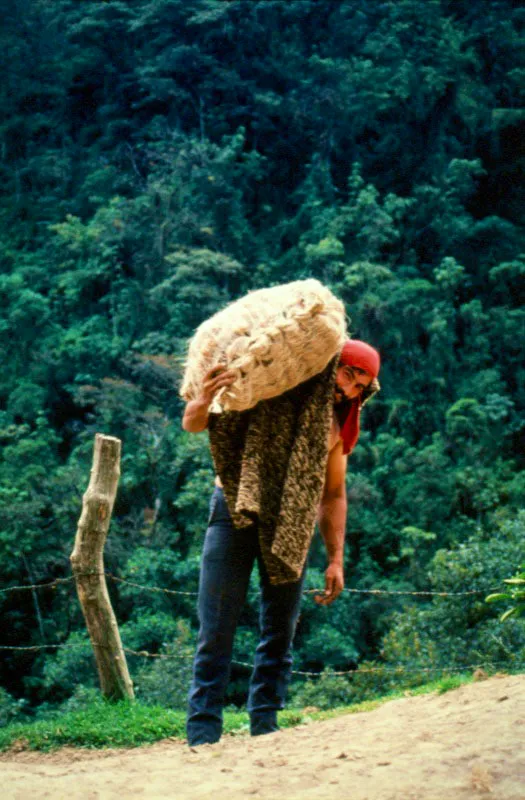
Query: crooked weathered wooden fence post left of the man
pixel 87 561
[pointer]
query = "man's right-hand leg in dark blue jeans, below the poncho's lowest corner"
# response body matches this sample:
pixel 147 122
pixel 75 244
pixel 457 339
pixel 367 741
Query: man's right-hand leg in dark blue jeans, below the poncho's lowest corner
pixel 273 659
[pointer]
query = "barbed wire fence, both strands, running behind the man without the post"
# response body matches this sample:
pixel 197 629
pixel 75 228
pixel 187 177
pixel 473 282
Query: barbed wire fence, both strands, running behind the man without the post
pixel 382 669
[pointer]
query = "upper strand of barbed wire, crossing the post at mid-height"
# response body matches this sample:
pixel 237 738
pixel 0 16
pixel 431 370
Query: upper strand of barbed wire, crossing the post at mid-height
pixel 159 589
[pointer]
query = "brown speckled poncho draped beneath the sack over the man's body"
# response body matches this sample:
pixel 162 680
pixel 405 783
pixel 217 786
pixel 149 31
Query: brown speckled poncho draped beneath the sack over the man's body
pixel 272 461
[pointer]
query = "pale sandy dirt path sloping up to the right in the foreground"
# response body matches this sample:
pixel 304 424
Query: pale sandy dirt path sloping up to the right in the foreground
pixel 467 744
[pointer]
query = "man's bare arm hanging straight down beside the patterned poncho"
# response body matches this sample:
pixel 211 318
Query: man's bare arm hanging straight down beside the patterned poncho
pixel 332 523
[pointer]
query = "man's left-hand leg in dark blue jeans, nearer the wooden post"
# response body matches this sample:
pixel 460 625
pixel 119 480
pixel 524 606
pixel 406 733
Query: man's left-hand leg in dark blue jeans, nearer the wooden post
pixel 227 561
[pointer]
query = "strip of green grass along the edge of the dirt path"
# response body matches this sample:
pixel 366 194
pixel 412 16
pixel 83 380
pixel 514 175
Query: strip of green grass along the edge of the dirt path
pixel 103 724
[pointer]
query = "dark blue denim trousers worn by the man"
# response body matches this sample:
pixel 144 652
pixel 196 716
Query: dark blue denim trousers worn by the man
pixel 228 558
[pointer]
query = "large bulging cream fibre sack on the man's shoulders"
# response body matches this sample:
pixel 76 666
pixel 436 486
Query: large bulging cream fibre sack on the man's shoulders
pixel 274 339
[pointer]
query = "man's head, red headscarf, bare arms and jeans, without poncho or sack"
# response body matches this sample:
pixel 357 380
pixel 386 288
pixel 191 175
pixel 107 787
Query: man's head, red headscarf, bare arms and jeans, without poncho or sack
pixel 229 554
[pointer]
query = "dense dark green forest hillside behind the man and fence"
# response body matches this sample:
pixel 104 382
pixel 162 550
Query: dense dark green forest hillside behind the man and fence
pixel 160 158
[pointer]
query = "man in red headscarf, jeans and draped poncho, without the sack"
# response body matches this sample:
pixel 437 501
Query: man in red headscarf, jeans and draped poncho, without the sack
pixel 280 467
